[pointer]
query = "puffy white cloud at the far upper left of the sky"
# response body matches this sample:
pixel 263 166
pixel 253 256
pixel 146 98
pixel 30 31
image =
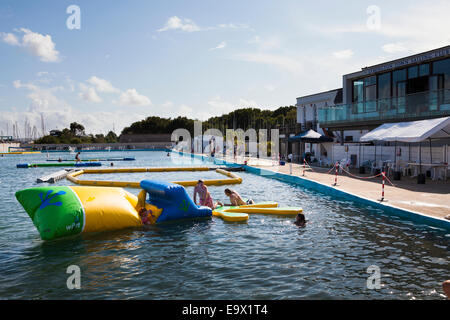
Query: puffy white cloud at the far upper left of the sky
pixel 37 44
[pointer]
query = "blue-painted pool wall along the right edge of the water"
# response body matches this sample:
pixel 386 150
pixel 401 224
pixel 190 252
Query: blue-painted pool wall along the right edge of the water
pixel 329 190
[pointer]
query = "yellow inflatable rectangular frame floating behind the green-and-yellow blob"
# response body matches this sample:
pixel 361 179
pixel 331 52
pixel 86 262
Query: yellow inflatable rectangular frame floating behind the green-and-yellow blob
pixel 232 178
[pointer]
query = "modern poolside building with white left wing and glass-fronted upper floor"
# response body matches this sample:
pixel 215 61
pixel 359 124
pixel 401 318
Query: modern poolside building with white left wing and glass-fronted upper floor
pixel 407 89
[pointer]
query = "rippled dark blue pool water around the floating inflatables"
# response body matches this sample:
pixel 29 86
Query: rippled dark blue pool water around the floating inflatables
pixel 266 258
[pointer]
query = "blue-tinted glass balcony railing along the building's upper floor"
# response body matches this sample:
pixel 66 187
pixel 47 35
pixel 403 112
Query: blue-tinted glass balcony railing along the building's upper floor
pixel 409 107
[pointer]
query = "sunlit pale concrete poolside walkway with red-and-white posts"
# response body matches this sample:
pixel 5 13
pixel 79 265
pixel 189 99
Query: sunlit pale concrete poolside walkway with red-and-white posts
pixel 431 198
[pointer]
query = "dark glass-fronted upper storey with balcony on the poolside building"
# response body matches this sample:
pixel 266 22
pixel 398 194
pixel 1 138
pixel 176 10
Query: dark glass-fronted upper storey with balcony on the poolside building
pixel 412 88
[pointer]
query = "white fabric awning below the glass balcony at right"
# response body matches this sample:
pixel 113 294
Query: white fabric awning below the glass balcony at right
pixel 413 131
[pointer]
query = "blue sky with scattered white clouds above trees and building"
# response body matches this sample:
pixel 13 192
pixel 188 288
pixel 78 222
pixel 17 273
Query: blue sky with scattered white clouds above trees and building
pixel 117 62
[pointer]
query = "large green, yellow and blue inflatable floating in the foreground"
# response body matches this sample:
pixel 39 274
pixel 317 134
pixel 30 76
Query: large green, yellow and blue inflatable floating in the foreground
pixel 62 211
